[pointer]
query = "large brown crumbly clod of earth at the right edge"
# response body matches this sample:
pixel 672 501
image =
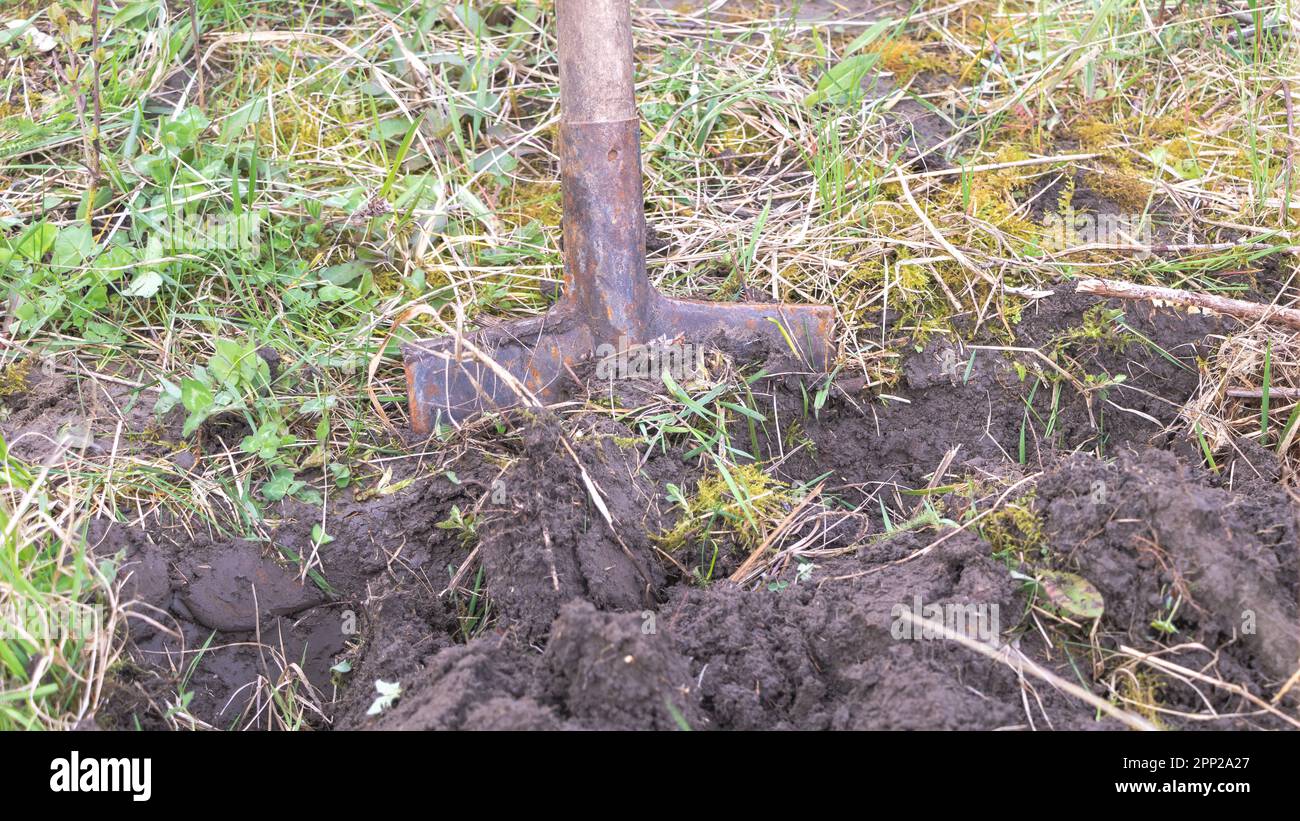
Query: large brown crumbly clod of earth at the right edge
pixel 1147 532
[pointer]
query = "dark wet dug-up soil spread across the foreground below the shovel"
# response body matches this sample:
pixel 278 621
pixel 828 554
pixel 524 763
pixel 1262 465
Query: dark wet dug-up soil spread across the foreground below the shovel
pixel 554 611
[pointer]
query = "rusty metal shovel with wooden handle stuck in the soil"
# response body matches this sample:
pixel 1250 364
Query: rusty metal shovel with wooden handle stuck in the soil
pixel 608 298
